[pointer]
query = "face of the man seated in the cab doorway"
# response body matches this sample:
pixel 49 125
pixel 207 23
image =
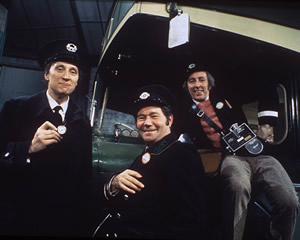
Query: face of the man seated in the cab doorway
pixel 198 86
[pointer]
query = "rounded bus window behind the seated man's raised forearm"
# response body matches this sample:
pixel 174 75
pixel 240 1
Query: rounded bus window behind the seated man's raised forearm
pixel 280 131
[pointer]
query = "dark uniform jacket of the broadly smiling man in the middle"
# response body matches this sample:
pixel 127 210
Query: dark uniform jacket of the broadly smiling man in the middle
pixel 172 204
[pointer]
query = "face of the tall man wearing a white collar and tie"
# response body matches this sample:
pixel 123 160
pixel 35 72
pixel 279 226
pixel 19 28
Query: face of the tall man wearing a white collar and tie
pixel 63 78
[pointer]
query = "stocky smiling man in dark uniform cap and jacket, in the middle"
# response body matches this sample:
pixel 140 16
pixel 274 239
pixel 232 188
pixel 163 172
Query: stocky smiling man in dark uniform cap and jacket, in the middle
pixel 162 194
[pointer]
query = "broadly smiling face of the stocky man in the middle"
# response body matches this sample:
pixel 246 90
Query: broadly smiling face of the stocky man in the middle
pixel 152 124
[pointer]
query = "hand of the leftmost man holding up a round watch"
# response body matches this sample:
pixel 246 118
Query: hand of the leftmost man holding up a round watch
pixel 45 135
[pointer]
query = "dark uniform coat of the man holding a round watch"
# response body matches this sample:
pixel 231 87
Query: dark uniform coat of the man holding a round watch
pixel 45 196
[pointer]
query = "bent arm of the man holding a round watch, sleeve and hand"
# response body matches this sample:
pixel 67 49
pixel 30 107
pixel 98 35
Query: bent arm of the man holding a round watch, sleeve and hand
pixel 15 141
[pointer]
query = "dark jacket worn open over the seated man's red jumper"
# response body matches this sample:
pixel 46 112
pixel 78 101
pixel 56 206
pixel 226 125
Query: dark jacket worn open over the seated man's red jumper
pixel 228 112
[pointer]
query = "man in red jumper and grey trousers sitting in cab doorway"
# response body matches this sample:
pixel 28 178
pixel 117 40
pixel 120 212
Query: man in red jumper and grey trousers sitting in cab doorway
pixel 241 174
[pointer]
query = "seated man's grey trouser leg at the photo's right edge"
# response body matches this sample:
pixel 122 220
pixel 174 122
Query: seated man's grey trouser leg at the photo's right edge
pixel 279 190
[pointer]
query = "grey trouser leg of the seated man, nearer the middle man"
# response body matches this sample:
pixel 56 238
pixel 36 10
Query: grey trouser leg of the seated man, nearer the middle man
pixel 235 175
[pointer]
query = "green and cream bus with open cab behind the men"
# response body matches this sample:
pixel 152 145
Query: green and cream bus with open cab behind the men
pixel 240 43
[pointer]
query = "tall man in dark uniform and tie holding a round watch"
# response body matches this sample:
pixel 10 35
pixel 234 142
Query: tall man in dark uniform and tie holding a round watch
pixel 45 155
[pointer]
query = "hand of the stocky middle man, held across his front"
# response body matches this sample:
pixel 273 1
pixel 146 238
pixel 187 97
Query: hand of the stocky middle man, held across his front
pixel 127 180
